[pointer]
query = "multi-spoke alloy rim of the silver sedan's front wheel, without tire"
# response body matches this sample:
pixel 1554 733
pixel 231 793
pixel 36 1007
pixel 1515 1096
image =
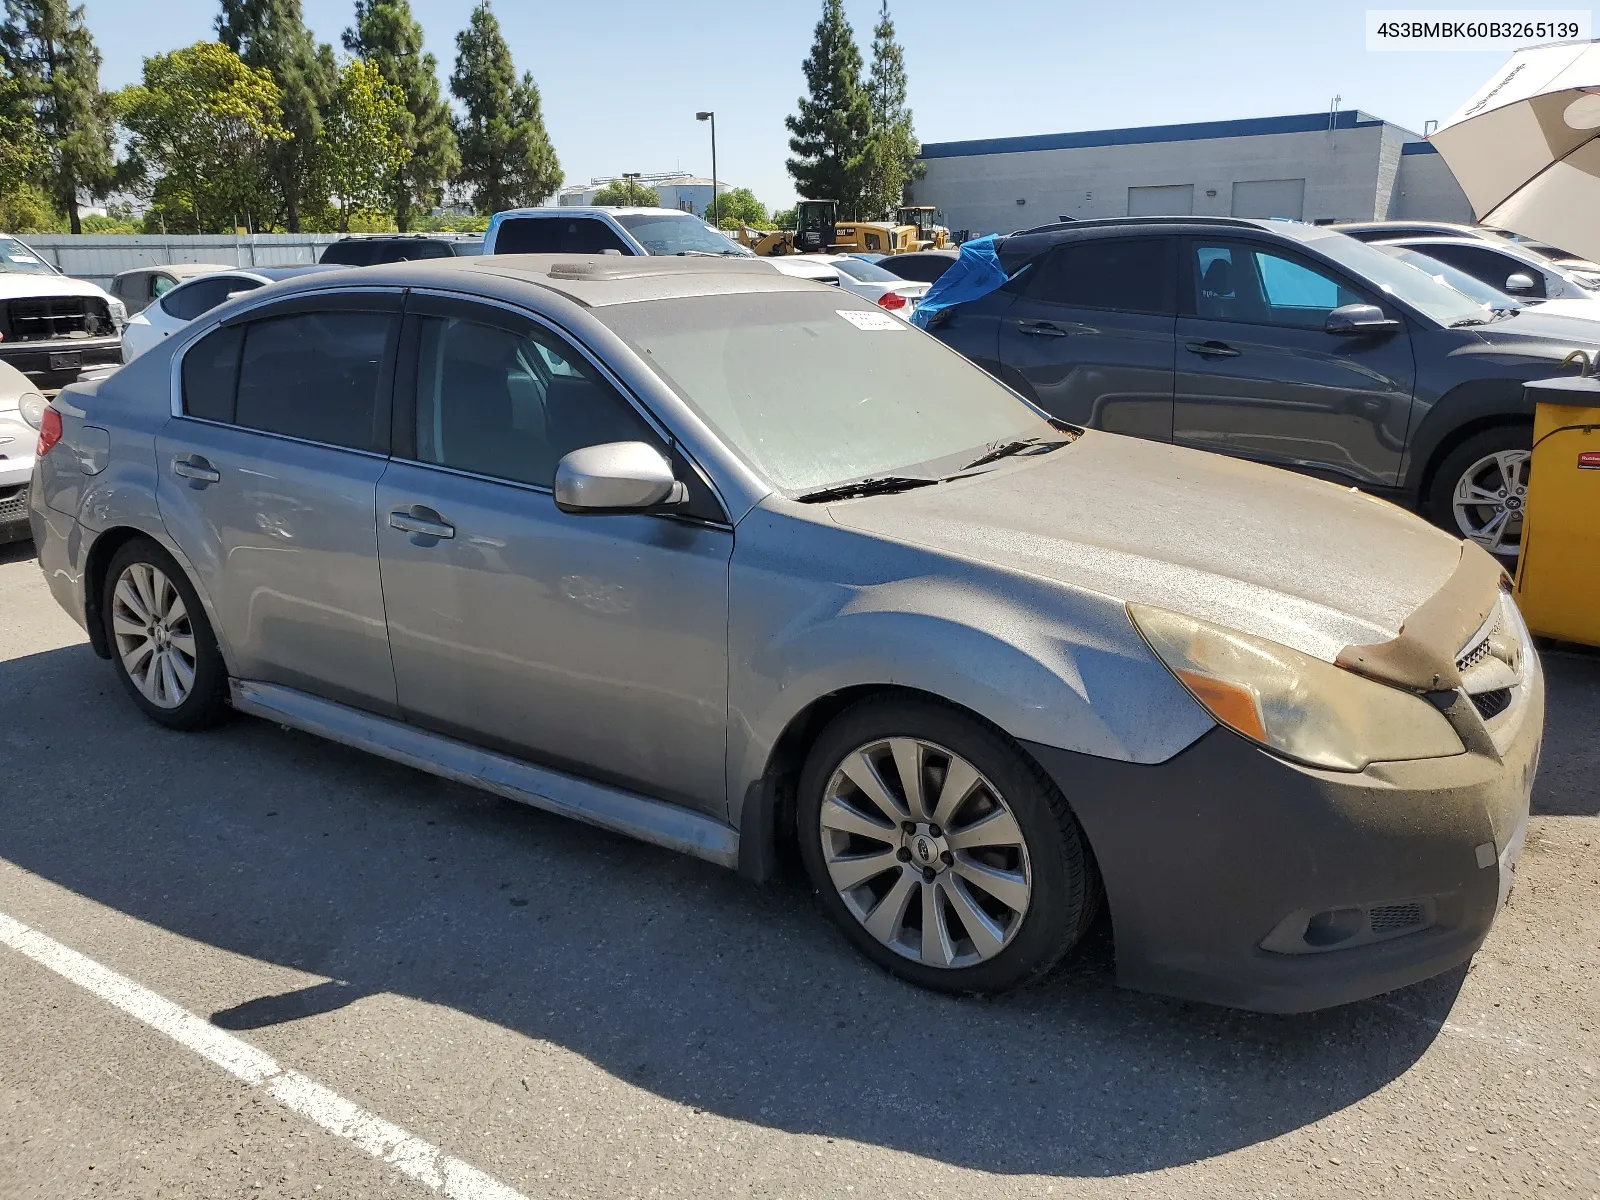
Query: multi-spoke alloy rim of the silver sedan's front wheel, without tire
pixel 926 852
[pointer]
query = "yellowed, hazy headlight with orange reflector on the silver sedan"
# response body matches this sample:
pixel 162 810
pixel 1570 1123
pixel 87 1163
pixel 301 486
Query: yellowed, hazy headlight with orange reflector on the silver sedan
pixel 1292 703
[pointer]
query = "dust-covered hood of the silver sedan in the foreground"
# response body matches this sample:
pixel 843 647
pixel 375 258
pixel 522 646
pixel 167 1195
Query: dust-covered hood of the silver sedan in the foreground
pixel 1308 564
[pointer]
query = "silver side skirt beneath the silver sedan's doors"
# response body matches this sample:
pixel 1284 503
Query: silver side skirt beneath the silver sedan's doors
pixel 612 809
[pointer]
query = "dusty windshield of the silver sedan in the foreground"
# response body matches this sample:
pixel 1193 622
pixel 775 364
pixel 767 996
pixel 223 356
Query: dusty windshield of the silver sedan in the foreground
pixel 814 390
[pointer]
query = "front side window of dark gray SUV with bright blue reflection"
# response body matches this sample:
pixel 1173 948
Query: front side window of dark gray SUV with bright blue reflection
pixel 1244 284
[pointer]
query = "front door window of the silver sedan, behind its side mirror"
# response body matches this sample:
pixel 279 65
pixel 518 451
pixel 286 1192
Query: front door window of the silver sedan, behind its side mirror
pixel 510 404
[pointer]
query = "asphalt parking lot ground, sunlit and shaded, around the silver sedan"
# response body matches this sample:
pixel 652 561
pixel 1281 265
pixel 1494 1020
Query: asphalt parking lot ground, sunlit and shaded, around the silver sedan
pixel 577 1015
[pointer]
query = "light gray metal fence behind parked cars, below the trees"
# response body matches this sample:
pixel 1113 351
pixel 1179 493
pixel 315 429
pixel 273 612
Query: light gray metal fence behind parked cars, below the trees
pixel 100 257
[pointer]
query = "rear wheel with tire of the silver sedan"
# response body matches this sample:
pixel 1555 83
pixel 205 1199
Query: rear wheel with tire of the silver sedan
pixel 162 644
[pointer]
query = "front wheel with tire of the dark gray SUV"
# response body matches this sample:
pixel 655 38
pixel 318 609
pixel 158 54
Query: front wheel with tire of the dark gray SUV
pixel 1482 489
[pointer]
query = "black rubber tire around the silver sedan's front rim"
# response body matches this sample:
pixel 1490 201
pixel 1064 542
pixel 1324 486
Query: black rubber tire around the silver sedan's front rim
pixel 1065 889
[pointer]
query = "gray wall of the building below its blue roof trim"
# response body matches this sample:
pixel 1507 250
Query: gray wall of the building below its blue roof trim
pixel 980 193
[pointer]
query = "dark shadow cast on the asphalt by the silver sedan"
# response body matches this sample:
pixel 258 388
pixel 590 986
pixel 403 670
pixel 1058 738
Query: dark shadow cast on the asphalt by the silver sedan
pixel 662 970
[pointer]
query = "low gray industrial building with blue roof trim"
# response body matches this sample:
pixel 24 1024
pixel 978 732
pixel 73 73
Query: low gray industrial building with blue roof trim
pixel 1322 167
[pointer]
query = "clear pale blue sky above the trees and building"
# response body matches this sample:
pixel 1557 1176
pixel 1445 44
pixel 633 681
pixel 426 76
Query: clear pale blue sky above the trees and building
pixel 623 79
